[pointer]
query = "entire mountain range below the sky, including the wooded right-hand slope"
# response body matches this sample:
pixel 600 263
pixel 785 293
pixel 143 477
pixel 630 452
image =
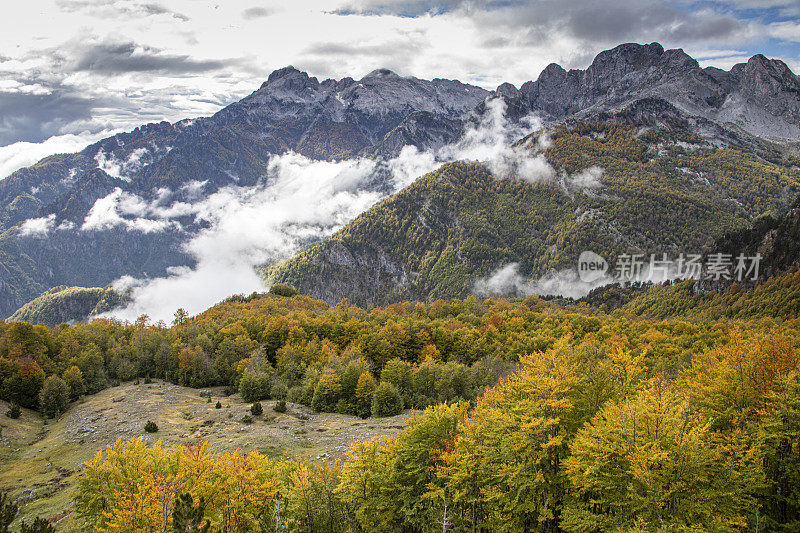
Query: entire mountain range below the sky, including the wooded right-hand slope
pixel 644 150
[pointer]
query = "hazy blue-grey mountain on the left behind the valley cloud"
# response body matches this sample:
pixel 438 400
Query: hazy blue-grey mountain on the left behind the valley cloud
pixel 182 163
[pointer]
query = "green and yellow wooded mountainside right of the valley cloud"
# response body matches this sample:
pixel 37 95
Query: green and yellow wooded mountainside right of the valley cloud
pixel 663 189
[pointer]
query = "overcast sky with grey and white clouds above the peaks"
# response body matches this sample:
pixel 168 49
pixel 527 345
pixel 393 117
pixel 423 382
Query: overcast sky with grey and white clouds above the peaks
pixel 72 71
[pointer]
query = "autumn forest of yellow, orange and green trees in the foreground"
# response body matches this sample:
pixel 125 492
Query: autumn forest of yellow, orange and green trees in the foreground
pixel 593 420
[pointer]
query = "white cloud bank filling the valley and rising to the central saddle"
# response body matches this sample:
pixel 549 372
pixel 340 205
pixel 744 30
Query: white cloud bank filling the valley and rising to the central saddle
pixel 299 201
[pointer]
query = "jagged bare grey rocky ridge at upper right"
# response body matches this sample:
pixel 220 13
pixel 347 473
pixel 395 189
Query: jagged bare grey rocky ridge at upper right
pixel 761 97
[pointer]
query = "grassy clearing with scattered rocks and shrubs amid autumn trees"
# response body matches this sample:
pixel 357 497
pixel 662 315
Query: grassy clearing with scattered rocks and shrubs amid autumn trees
pixel 46 457
